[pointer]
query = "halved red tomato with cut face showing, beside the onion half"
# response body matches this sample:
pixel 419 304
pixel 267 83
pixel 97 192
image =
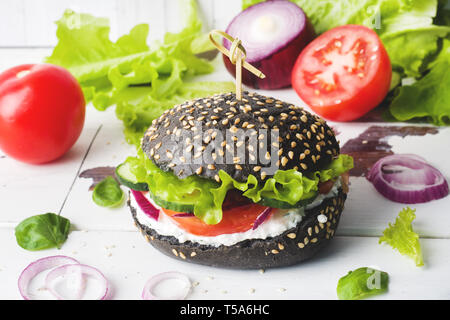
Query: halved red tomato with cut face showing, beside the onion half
pixel 343 73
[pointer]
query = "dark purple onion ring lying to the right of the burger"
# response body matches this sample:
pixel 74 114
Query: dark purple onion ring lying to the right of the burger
pixel 408 179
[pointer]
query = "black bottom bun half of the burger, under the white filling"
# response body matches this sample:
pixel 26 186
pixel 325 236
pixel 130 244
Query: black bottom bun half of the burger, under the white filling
pixel 291 247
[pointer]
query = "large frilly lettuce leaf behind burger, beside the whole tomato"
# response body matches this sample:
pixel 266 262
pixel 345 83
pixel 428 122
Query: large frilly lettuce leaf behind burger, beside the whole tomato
pixel 141 81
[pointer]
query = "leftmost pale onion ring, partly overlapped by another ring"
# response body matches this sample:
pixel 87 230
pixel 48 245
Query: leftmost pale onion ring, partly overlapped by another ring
pixel 38 266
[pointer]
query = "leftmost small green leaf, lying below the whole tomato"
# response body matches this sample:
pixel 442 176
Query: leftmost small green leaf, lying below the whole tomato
pixel 43 231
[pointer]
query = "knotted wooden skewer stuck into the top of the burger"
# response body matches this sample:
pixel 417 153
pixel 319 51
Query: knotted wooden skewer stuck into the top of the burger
pixel 237 55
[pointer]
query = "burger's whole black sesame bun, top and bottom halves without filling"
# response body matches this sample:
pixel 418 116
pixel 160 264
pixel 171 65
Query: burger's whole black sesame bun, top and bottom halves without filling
pixel 304 142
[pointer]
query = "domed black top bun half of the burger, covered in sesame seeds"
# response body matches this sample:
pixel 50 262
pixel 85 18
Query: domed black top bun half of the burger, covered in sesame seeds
pixel 305 142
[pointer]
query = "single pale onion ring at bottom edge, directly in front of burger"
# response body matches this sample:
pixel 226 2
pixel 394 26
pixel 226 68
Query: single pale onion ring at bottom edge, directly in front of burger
pixel 147 293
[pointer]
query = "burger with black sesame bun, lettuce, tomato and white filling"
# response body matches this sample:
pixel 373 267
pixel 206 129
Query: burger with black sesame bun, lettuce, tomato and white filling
pixel 250 183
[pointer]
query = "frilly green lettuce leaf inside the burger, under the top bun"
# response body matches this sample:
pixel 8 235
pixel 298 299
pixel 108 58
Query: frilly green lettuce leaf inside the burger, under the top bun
pixel 207 196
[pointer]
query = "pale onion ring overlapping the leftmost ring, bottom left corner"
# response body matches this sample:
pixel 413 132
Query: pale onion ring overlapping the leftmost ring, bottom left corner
pixel 77 270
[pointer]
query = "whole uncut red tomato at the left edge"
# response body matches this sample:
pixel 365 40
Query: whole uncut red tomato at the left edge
pixel 42 111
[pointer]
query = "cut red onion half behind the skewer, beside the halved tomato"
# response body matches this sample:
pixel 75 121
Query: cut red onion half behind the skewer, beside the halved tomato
pixel 273 33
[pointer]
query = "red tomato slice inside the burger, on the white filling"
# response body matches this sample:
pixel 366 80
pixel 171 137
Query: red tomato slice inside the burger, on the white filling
pixel 237 219
